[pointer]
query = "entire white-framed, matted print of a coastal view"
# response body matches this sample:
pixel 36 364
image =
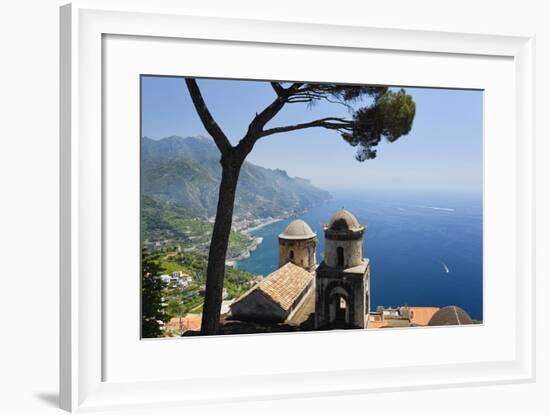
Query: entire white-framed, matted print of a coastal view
pixel 349 206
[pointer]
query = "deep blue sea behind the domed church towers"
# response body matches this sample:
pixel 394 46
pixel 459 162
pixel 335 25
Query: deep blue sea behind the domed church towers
pixel 424 249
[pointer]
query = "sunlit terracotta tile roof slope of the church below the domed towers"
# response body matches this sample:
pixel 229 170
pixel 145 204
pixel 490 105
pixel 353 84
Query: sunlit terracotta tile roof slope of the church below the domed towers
pixel 285 285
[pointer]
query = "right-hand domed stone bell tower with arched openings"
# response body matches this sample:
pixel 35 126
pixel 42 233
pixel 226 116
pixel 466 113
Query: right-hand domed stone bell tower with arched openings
pixel 343 278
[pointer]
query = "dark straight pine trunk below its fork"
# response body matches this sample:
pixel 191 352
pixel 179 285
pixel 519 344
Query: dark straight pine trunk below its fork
pixel 218 248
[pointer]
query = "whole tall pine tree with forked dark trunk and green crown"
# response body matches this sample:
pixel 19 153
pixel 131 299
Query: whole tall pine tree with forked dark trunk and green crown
pixel 384 114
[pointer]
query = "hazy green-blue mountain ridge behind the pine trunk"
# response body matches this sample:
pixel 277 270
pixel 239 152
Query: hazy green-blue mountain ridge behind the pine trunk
pixel 186 171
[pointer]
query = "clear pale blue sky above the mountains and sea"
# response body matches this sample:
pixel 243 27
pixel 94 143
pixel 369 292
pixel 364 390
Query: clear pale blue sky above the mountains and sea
pixel 442 153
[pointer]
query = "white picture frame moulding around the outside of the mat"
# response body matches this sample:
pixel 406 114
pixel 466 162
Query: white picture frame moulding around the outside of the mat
pixel 84 27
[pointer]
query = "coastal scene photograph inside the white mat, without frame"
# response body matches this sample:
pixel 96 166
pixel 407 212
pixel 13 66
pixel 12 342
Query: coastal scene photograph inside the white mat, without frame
pixel 273 206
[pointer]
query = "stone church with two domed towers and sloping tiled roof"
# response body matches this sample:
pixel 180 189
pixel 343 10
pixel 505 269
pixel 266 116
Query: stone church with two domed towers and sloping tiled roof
pixel 334 294
